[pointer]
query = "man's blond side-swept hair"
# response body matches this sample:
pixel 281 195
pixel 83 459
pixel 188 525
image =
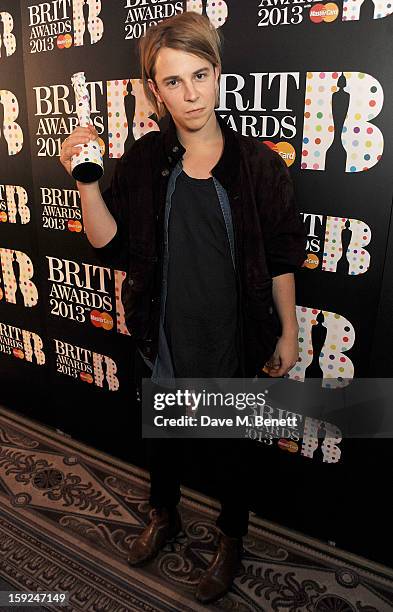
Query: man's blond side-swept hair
pixel 189 32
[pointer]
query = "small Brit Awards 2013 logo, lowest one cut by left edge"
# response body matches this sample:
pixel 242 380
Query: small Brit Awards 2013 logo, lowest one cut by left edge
pixel 21 344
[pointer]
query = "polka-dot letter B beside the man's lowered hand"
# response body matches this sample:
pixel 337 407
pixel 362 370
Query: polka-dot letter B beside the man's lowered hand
pixel 333 361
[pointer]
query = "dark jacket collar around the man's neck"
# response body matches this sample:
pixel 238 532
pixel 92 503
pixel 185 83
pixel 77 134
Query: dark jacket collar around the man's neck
pixel 226 171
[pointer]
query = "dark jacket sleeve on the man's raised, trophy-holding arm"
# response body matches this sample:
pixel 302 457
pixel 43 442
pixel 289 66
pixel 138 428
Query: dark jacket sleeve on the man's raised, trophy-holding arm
pixel 117 198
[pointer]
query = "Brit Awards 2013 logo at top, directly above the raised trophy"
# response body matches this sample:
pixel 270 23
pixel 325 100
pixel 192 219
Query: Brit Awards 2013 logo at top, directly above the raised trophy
pixel 61 24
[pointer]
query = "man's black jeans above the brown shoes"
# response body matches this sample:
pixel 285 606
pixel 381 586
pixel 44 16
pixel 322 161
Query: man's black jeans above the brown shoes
pixel 221 465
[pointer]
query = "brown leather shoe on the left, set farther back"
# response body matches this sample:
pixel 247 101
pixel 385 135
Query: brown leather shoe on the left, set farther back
pixel 154 537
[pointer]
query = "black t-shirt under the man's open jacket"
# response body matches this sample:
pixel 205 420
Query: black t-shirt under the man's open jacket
pixel 201 305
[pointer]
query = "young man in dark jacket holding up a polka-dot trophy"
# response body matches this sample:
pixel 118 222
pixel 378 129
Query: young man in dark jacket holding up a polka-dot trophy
pixel 204 221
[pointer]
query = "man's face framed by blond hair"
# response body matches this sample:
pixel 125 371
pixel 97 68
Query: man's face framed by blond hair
pixel 187 85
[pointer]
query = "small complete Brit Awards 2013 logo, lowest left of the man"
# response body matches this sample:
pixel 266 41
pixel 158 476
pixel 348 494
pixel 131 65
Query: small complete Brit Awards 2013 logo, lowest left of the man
pixel 86 365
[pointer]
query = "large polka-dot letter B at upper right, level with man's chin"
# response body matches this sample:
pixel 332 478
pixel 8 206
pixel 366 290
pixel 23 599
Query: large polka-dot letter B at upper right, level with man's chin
pixel 362 141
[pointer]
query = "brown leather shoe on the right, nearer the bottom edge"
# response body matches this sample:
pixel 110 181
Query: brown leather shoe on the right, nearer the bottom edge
pixel 218 577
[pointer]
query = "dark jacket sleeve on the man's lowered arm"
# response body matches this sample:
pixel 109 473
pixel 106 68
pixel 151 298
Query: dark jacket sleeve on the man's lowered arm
pixel 284 232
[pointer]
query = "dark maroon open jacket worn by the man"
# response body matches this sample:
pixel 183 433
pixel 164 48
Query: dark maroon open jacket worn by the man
pixel 270 237
